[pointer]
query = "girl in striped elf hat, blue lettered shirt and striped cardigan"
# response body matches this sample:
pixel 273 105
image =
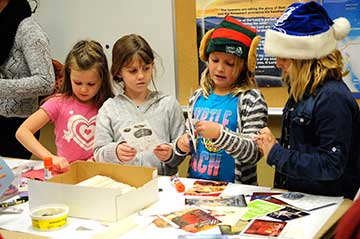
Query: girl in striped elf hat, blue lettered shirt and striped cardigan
pixel 228 109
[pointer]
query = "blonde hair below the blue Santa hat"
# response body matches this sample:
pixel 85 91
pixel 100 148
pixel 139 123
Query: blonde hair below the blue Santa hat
pixel 305 76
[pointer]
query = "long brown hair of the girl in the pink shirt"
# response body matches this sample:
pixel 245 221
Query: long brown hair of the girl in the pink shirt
pixel 86 55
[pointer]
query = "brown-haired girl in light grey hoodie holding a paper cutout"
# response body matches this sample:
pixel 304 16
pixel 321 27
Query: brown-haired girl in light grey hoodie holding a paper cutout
pixel 136 106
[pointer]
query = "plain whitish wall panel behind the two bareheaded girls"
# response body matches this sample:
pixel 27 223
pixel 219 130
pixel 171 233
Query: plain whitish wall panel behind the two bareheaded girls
pixel 68 21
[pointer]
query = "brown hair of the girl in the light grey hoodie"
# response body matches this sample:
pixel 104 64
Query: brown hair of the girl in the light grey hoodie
pixel 127 49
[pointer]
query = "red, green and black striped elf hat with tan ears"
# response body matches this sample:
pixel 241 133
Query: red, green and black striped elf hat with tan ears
pixel 233 37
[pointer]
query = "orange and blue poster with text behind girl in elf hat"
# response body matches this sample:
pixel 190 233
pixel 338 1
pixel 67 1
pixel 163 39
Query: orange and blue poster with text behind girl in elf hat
pixel 260 14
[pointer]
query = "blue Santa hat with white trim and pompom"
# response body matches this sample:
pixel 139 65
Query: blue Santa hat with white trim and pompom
pixel 305 31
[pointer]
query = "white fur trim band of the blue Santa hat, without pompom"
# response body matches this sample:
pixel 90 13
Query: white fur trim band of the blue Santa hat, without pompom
pixel 279 44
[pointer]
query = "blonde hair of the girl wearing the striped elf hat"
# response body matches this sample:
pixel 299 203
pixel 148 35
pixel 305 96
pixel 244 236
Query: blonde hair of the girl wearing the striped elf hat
pixel 245 79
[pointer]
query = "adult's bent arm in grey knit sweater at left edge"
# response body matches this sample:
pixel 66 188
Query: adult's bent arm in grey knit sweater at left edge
pixel 34 44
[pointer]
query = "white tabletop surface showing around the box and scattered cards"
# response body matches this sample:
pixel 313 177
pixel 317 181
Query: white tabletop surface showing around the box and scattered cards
pixel 318 225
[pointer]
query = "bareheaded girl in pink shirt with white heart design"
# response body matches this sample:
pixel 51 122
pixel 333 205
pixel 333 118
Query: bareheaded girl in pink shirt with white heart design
pixel 73 111
